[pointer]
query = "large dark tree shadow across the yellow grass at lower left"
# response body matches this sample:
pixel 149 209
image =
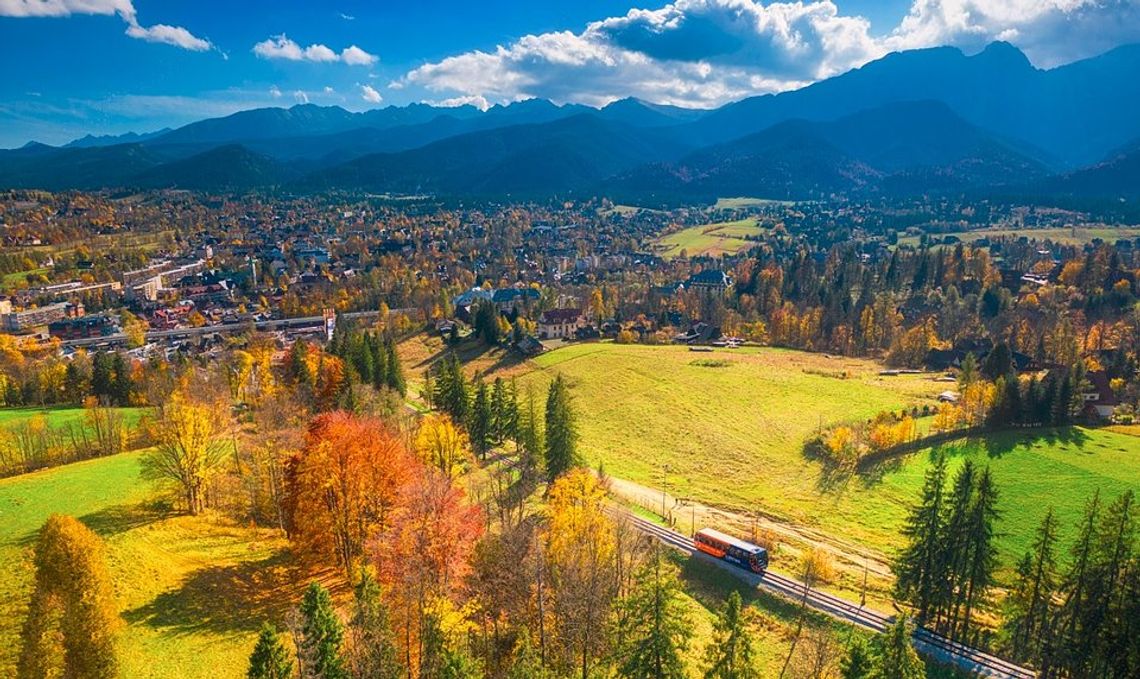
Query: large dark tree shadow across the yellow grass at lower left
pixel 222 600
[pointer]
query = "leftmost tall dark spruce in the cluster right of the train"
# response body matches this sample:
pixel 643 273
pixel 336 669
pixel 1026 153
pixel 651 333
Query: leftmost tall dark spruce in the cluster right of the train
pixel 919 568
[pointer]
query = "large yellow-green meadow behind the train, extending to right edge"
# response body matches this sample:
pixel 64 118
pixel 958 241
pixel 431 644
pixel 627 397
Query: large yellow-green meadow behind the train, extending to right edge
pixel 732 437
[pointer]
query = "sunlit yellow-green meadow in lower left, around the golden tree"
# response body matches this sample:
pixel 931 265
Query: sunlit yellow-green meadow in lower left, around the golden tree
pixel 193 591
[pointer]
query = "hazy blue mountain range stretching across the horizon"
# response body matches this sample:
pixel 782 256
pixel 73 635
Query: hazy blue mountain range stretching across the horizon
pixel 915 122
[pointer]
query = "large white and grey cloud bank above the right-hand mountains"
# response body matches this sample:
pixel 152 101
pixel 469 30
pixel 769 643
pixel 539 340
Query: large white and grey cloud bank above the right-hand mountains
pixel 705 53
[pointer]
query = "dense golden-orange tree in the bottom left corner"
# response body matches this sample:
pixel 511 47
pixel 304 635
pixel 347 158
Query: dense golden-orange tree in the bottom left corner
pixel 74 621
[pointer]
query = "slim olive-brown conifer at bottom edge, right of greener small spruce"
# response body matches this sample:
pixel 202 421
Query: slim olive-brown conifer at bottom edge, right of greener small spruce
pixel 374 655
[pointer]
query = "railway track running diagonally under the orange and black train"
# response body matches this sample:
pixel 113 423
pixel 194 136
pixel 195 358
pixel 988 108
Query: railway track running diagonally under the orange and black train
pixel 929 643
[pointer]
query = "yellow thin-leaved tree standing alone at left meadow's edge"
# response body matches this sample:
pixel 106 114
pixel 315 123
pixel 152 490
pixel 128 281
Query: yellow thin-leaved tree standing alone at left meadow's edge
pixel 190 447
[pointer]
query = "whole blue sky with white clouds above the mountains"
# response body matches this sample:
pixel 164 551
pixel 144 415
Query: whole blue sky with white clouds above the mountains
pixel 109 67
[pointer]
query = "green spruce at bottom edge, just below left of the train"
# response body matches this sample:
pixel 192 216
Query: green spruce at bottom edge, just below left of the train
pixel 658 627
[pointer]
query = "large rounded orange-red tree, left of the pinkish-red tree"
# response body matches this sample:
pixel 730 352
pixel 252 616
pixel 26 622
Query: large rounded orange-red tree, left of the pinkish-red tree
pixel 345 485
